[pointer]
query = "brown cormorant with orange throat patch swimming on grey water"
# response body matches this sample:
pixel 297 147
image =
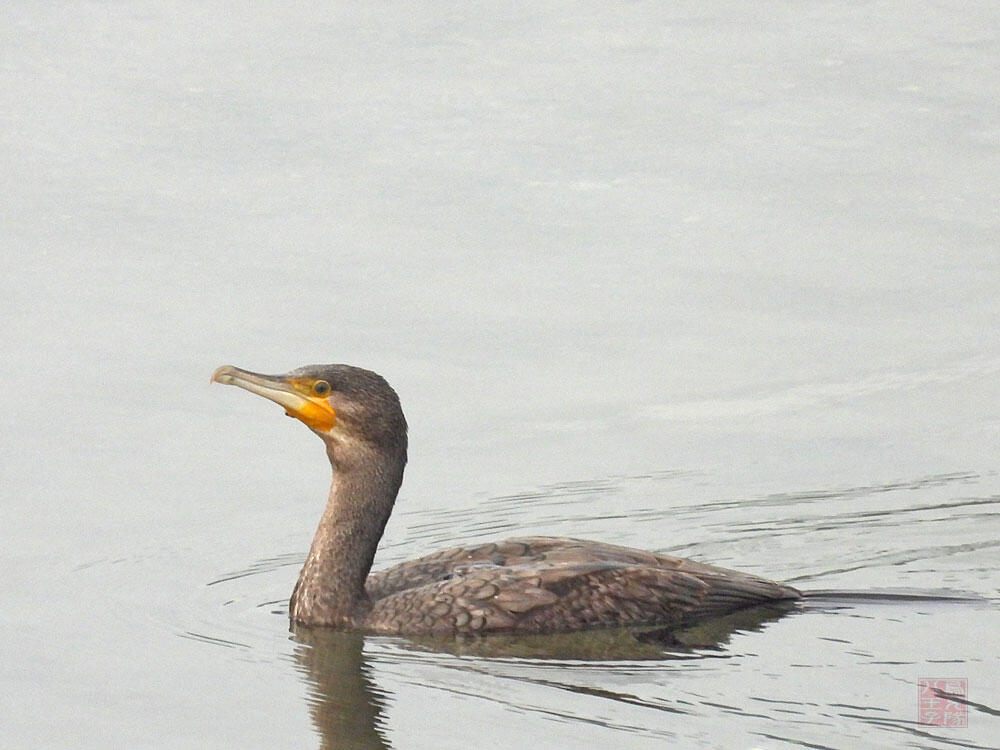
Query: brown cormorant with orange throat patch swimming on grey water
pixel 523 585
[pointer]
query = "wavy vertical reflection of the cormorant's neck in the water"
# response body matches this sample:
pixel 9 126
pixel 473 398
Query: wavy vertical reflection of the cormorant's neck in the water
pixel 345 704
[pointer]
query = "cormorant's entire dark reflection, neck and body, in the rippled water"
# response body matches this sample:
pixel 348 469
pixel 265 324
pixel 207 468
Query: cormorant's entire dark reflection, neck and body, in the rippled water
pixel 347 707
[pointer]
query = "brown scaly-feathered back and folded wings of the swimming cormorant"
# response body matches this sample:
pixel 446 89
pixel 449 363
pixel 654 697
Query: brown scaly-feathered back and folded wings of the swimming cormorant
pixel 554 584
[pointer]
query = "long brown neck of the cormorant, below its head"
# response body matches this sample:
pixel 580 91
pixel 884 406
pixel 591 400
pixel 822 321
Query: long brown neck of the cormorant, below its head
pixel 331 586
